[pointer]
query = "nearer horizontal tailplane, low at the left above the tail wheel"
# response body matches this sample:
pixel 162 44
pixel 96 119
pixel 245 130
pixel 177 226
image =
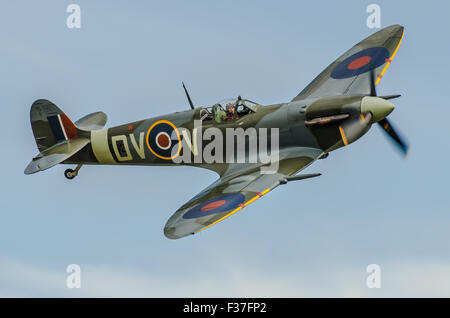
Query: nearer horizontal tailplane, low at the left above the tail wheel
pixel 56 154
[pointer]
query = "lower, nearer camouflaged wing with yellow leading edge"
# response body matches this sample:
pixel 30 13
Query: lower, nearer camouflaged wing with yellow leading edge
pixel 233 191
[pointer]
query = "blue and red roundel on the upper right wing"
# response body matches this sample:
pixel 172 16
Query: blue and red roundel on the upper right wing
pixel 361 62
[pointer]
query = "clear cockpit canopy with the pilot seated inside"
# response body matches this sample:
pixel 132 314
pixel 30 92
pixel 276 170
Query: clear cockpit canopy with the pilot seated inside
pixel 229 110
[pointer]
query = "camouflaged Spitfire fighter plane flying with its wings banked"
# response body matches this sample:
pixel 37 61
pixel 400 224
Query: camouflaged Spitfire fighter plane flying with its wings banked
pixel 338 107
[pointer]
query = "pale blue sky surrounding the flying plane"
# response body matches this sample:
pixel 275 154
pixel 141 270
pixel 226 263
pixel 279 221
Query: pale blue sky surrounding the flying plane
pixel 313 238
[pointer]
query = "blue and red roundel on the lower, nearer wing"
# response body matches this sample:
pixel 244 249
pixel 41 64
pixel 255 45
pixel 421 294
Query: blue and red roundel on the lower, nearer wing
pixel 222 203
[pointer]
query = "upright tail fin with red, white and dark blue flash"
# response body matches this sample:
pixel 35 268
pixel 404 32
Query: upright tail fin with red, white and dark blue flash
pixel 50 125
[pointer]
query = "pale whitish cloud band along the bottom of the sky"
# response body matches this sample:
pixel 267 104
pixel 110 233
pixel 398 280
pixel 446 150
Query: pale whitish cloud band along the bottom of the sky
pixel 229 279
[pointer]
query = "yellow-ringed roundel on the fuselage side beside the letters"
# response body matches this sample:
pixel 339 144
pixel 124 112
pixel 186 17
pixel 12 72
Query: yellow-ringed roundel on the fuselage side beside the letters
pixel 160 142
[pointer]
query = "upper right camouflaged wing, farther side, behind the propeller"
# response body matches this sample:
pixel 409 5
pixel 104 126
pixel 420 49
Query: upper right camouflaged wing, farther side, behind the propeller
pixel 350 73
